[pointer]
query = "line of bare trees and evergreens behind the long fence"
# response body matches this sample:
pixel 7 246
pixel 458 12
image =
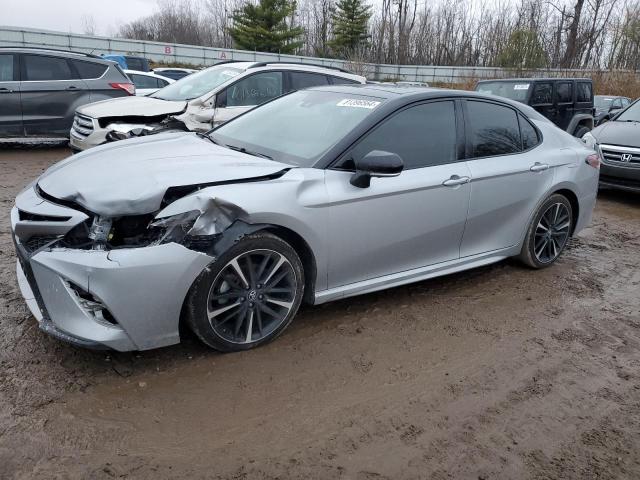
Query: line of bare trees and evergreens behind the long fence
pixel 602 34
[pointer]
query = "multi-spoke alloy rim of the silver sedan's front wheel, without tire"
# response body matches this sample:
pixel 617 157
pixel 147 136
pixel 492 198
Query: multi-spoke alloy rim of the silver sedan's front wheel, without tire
pixel 251 296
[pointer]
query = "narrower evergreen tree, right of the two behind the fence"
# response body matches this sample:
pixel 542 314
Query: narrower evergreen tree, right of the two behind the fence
pixel 350 25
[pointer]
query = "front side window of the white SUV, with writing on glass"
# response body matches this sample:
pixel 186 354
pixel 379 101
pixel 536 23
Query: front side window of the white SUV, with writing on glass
pixel 252 91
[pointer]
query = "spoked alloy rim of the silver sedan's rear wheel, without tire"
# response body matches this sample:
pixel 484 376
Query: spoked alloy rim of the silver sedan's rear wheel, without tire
pixel 552 233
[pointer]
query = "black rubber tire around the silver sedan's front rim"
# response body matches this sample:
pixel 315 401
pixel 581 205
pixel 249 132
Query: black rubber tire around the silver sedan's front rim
pixel 196 302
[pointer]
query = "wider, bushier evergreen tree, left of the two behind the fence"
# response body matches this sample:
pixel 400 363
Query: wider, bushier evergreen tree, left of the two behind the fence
pixel 263 27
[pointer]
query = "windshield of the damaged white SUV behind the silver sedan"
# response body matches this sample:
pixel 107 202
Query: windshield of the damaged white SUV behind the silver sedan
pixel 197 84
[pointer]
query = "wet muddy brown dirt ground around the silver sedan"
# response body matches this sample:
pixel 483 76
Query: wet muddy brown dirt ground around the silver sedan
pixel 500 372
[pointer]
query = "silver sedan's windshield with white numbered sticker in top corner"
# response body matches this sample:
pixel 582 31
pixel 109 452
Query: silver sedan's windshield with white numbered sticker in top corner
pixel 298 128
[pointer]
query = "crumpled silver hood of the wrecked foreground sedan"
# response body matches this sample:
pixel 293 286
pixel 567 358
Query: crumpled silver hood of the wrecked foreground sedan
pixel 130 177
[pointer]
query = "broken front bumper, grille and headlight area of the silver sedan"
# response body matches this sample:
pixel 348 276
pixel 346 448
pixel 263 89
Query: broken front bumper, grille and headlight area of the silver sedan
pixel 117 282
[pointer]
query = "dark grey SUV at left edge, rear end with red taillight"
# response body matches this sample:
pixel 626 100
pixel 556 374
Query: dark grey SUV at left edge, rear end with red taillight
pixel 40 89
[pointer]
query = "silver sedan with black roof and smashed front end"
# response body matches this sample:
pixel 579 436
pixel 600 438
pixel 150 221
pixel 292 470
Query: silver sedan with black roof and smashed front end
pixel 316 196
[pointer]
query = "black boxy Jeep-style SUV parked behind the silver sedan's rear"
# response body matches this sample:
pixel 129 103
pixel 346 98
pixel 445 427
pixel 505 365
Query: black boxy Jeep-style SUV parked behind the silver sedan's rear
pixel 567 102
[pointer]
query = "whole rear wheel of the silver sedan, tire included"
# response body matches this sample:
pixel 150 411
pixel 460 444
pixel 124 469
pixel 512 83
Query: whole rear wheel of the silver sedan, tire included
pixel 543 245
